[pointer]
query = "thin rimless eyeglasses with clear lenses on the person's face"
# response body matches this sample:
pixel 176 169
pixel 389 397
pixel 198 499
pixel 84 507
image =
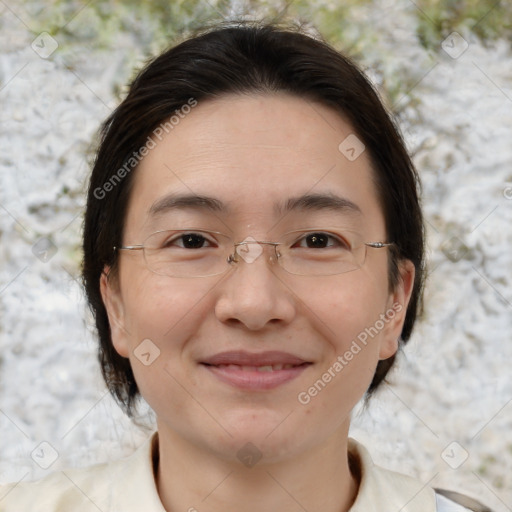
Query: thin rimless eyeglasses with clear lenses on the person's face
pixel 201 253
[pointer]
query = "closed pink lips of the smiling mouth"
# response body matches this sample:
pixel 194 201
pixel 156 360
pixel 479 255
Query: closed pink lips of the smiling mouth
pixel 239 369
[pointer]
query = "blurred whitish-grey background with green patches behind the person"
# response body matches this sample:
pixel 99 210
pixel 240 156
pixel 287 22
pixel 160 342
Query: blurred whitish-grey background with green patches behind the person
pixel 444 68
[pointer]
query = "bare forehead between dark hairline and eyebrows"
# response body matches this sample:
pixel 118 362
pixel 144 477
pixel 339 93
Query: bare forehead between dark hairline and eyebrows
pixel 254 154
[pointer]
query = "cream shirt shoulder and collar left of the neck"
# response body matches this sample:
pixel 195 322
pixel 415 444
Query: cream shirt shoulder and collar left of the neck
pixel 127 484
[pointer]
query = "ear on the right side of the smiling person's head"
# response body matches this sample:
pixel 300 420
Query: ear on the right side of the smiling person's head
pixel 396 309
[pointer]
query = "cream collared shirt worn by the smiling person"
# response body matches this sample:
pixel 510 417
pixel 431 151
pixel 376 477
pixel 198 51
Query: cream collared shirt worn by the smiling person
pixel 128 485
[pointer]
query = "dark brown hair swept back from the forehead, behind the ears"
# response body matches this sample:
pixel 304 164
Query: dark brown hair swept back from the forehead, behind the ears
pixel 243 58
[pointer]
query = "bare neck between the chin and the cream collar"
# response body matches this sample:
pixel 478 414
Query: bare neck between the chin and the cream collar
pixel 191 479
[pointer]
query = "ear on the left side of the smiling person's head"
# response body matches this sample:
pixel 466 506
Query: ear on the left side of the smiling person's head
pixel 112 299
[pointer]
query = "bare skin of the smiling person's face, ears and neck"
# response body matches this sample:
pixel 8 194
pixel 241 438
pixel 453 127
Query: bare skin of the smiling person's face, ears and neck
pixel 251 152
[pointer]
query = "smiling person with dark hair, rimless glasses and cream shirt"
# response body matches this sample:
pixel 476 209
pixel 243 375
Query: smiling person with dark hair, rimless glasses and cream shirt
pixel 253 256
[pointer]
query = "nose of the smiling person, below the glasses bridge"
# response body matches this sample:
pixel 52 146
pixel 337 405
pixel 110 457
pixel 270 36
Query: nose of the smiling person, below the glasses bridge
pixel 254 294
